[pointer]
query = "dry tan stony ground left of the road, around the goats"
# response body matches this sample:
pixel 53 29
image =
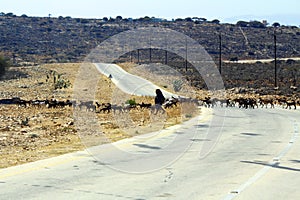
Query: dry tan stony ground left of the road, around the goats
pixel 33 132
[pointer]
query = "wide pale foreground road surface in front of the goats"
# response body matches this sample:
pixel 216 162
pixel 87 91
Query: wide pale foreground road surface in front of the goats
pixel 250 154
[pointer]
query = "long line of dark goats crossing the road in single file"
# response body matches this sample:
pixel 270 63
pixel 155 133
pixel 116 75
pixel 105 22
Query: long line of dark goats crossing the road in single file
pixel 95 106
